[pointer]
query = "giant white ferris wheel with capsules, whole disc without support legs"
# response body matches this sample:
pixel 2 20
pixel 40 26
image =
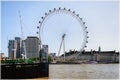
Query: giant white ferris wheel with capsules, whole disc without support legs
pixel 62 21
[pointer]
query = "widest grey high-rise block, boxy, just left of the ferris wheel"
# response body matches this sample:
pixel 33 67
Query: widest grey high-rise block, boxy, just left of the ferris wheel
pixel 32 47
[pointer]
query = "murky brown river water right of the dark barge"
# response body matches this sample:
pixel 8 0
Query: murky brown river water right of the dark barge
pixel 84 71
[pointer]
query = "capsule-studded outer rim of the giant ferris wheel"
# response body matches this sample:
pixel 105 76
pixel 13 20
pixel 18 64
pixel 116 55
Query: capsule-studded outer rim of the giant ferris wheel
pixel 64 10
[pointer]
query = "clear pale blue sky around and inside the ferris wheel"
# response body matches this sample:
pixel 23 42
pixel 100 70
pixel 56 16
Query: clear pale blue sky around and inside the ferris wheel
pixel 101 18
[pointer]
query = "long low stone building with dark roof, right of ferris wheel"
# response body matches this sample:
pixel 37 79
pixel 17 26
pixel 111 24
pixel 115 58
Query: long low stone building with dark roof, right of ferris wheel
pixel 99 56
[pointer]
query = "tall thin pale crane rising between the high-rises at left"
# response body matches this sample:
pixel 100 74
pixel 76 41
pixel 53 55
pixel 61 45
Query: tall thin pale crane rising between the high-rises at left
pixel 22 44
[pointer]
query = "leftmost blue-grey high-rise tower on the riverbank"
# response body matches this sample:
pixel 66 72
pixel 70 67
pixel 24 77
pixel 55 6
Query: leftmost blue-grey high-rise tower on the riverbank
pixel 12 47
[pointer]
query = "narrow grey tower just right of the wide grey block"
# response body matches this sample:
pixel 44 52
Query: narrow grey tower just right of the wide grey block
pixel 44 53
